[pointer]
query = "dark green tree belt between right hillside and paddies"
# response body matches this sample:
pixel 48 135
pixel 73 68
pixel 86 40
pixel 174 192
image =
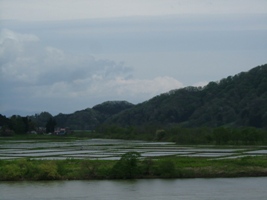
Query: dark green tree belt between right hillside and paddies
pixel 202 135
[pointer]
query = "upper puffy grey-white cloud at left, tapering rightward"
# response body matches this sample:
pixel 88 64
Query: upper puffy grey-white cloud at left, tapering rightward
pixel 23 61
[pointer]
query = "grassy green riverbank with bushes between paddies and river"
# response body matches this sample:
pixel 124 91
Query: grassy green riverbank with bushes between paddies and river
pixel 131 167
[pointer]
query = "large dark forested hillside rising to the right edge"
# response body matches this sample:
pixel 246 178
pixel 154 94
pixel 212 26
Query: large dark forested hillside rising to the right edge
pixel 239 100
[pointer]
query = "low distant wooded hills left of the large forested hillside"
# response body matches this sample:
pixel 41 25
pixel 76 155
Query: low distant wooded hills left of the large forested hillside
pixel 87 119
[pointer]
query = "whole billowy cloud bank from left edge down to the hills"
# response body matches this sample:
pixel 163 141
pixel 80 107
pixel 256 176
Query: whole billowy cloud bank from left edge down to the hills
pixel 37 77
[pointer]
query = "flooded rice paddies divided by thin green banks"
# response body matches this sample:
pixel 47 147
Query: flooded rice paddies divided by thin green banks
pixel 107 149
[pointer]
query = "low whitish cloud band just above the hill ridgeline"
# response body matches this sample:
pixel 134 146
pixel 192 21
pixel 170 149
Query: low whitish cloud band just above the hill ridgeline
pixel 114 88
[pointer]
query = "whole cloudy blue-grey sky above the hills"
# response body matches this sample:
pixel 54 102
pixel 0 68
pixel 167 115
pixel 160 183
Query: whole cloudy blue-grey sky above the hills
pixel 61 56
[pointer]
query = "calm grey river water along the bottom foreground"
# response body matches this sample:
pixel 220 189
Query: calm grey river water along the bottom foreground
pixel 154 189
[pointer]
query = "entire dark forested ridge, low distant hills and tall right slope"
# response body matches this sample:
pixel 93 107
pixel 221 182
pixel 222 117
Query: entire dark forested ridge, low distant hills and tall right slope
pixel 239 100
